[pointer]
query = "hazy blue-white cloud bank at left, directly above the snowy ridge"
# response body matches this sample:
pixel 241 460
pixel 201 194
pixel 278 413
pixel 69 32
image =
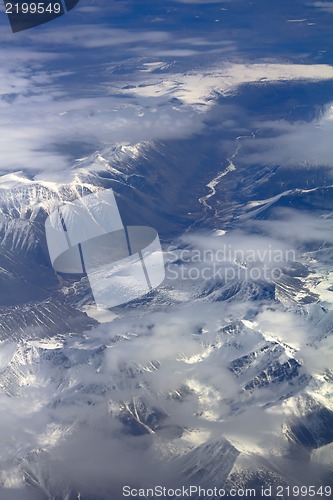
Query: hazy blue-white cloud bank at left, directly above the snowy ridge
pixel 40 121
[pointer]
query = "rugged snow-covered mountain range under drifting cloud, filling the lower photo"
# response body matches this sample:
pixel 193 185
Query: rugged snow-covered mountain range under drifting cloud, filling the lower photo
pixel 202 381
